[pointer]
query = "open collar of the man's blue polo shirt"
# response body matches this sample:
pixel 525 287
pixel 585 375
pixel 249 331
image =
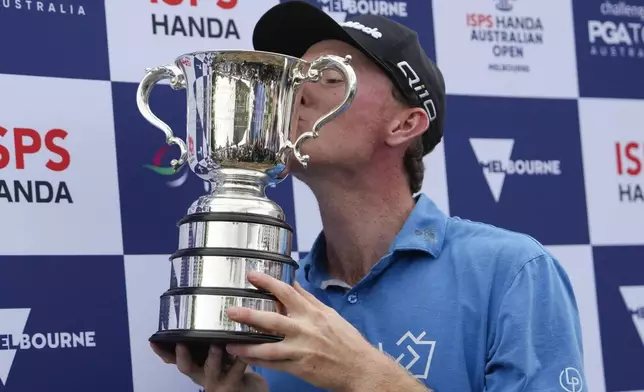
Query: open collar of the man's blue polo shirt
pixel 424 230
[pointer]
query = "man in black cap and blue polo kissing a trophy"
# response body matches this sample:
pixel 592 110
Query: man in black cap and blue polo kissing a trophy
pixel 395 295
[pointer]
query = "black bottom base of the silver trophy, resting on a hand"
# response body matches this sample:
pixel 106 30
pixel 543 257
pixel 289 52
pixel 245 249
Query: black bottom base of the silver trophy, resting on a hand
pixel 199 342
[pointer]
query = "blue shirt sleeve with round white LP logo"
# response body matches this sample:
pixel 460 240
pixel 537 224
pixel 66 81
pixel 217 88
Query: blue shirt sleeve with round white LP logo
pixel 536 344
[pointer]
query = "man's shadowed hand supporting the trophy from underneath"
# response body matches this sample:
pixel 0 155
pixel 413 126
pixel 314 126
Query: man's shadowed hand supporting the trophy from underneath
pixel 212 375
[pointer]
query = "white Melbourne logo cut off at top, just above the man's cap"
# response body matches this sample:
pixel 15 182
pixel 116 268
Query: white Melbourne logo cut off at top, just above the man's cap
pixel 339 9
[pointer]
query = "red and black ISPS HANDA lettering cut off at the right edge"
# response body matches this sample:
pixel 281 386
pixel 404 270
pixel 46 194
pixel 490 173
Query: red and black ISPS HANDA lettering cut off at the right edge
pixel 630 158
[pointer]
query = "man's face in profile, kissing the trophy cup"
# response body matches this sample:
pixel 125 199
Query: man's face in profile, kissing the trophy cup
pixel 350 140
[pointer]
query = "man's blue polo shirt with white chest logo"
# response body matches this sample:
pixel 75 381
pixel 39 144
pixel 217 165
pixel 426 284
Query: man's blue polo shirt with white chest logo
pixel 462 305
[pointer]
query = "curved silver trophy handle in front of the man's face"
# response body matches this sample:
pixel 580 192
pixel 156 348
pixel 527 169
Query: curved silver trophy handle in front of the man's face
pixel 313 75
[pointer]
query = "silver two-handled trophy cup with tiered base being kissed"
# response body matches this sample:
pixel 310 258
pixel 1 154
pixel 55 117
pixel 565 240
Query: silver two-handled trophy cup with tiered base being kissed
pixel 241 105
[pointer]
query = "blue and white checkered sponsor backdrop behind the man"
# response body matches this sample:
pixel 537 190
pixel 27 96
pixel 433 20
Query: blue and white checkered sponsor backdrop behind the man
pixel 544 135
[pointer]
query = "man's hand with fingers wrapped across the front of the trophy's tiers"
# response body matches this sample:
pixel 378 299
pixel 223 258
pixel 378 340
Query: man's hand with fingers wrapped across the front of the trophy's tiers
pixel 319 347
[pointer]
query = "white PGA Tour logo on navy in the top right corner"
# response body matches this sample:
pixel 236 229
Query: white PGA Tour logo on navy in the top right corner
pixel 619 32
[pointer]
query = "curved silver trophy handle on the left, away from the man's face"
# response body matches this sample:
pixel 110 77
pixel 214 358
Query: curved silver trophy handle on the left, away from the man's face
pixel 177 82
